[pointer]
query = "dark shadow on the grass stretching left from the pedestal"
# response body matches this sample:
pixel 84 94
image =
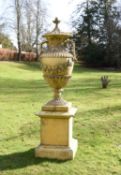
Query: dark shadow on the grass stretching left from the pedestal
pixel 22 159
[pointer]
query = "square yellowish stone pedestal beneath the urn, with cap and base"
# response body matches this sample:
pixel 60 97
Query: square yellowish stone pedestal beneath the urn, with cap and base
pixel 56 135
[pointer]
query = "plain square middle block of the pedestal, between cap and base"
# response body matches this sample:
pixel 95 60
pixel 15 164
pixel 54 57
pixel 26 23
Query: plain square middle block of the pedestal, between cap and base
pixel 56 131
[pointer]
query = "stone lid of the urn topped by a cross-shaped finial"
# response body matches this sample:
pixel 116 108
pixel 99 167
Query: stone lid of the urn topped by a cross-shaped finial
pixel 56 31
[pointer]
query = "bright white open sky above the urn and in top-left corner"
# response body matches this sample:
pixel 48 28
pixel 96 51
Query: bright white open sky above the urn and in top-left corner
pixel 56 8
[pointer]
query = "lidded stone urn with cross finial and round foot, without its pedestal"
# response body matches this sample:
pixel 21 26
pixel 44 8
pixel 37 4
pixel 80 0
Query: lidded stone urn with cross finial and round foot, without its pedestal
pixel 57 60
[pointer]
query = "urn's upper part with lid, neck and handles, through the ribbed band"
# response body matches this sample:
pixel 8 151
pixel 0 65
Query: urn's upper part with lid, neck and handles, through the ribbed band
pixel 58 44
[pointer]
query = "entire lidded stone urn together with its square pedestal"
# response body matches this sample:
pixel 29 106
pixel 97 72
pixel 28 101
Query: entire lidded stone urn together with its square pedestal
pixel 57 61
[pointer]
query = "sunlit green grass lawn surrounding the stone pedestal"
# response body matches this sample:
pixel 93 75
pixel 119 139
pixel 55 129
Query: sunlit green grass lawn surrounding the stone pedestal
pixel 97 125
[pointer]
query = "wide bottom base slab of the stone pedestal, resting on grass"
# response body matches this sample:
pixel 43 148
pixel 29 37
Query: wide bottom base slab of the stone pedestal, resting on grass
pixel 57 152
